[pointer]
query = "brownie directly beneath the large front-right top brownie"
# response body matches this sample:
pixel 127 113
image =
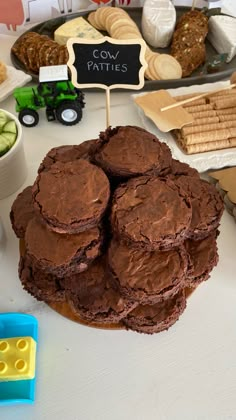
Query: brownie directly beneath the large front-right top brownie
pixel 147 277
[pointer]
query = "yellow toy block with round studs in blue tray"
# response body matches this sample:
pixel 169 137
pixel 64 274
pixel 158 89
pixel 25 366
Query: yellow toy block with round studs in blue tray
pixel 17 358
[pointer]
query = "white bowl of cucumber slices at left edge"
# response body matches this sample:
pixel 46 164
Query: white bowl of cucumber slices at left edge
pixel 13 169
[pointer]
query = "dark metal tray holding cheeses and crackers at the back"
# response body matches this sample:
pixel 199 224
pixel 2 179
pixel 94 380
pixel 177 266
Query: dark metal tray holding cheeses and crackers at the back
pixel 48 28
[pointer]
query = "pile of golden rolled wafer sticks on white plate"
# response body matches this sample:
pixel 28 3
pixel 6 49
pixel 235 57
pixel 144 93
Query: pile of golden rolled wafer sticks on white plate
pixel 214 125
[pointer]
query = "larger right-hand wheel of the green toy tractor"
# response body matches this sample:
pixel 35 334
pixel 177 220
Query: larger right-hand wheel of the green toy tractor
pixel 69 113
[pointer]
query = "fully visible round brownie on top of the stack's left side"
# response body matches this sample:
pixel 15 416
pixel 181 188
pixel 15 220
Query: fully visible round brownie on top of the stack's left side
pixel 83 189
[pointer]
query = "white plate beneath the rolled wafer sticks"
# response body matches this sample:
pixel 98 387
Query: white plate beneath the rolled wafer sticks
pixel 201 161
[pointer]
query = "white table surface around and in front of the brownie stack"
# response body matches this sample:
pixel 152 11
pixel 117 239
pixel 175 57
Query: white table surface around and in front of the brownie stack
pixel 188 372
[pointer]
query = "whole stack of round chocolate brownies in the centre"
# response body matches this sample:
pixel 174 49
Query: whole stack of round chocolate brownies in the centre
pixel 118 229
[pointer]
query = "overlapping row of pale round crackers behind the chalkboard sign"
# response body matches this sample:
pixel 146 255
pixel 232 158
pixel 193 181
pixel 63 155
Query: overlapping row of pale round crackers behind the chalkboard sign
pixel 119 25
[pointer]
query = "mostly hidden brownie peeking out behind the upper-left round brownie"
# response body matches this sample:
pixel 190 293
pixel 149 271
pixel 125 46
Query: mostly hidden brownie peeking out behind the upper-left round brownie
pixel 70 153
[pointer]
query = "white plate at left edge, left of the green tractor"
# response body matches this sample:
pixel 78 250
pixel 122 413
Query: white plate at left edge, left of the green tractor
pixel 15 78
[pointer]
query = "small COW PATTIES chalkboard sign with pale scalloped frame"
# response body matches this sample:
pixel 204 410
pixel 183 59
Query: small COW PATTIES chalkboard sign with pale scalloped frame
pixel 107 63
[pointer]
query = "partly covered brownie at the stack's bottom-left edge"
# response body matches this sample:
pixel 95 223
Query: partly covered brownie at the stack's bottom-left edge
pixel 41 285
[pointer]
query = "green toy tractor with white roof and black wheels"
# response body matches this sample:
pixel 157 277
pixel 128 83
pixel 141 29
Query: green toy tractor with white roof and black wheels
pixel 63 102
